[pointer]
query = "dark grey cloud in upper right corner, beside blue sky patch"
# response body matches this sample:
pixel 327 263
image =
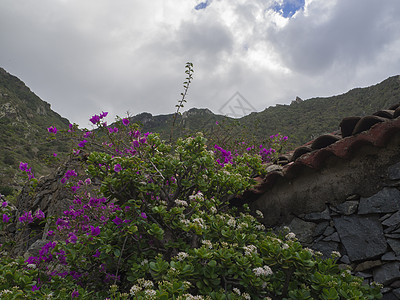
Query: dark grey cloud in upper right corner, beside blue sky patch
pixel 355 33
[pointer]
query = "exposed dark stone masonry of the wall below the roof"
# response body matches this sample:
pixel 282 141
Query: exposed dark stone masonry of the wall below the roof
pixel 365 230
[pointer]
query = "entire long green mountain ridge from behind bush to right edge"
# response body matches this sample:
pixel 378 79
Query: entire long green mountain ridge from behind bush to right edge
pixel 301 120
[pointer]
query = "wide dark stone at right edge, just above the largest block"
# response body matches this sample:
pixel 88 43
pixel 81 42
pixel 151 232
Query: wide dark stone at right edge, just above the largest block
pixel 385 201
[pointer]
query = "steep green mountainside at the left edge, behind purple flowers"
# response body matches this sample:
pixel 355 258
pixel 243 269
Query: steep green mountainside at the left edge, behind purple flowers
pixel 24 119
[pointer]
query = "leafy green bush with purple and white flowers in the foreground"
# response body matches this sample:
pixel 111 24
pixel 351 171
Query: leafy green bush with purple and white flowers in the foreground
pixel 160 227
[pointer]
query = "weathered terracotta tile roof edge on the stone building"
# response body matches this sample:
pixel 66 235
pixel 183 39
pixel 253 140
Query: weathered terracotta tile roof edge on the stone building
pixel 356 132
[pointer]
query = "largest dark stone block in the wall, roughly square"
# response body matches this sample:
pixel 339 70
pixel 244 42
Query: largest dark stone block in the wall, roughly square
pixel 361 236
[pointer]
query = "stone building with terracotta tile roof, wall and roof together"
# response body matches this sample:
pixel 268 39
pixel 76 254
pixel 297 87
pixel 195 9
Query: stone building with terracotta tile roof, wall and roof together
pixel 341 192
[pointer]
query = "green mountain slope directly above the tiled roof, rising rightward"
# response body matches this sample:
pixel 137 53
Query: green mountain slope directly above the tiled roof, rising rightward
pixel 304 120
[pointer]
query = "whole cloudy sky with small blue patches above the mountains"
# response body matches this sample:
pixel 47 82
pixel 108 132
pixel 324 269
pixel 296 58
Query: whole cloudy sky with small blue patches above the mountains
pixel 88 56
